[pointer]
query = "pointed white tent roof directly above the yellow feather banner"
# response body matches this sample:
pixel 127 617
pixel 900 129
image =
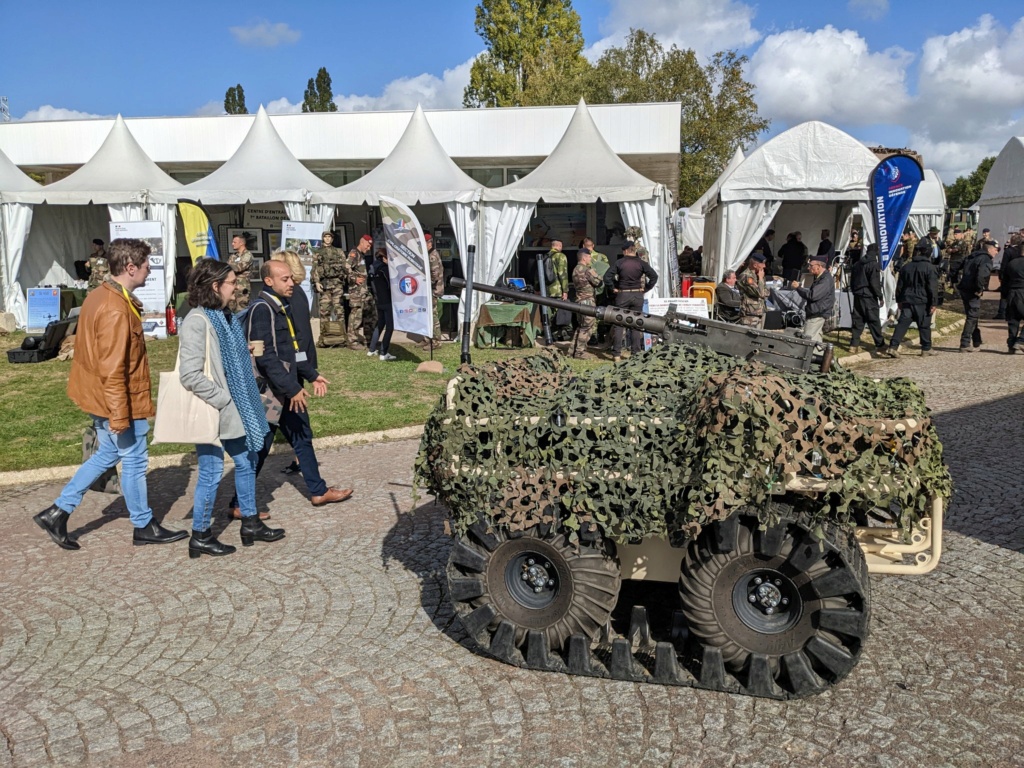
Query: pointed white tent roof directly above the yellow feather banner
pixel 262 170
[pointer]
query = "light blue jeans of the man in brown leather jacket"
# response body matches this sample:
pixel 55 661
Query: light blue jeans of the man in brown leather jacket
pixel 129 448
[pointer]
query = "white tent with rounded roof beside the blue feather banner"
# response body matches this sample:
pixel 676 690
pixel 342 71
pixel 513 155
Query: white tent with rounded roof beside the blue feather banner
pixel 812 178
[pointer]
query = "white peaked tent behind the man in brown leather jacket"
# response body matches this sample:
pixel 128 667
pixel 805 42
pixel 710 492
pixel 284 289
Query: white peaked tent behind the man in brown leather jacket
pixel 71 212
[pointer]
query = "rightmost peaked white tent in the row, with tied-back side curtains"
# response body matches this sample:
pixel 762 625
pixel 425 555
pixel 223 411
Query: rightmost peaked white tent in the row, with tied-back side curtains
pixel 582 168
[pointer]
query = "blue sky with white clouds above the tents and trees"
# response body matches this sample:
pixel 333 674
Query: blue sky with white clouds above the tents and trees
pixel 880 69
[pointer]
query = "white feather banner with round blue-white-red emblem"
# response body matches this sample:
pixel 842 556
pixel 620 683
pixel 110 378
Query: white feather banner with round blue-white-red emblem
pixel 407 254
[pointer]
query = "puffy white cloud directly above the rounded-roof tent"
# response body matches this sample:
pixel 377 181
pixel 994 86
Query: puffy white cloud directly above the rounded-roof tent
pixel 829 75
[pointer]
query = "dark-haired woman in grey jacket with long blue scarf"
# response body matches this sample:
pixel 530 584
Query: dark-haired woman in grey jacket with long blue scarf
pixel 232 390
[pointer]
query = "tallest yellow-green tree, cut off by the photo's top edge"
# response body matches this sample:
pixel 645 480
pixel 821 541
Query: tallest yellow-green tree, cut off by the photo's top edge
pixel 528 41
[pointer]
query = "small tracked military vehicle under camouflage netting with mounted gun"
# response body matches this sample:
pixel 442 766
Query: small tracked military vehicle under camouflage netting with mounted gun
pixel 686 518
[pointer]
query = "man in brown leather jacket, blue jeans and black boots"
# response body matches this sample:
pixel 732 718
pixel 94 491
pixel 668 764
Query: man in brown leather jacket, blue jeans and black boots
pixel 110 381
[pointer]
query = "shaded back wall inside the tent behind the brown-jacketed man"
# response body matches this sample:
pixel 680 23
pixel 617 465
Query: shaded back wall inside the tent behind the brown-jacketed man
pixel 60 237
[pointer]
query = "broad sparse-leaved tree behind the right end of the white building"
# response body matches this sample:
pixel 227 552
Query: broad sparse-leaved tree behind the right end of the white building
pixel 719 113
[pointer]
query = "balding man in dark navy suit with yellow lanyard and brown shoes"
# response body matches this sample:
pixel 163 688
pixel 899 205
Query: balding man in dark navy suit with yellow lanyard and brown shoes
pixel 282 363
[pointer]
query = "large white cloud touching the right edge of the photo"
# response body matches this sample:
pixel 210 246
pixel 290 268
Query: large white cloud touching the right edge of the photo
pixel 970 96
